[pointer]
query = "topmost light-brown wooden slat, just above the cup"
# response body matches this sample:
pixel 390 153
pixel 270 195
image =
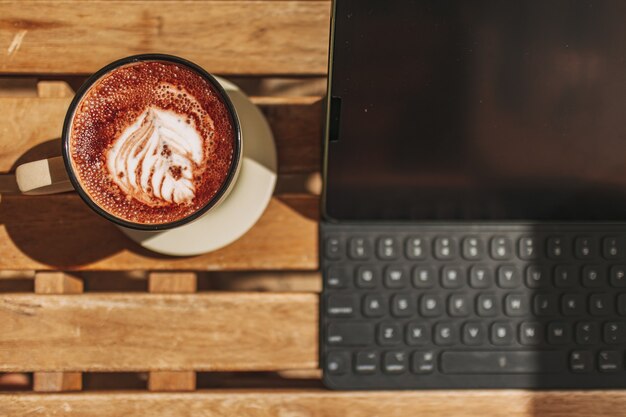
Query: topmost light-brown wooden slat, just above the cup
pixel 226 37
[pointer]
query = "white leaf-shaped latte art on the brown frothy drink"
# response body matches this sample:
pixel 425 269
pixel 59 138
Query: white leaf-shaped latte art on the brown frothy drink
pixel 154 159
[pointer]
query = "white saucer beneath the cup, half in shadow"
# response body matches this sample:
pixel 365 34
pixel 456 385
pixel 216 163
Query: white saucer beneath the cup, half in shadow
pixel 244 205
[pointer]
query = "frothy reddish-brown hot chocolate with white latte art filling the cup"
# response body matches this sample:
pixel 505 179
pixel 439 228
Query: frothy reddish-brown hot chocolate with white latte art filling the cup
pixel 152 142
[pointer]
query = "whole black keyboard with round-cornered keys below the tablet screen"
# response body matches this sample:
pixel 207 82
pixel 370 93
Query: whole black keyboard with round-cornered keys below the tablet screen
pixel 476 306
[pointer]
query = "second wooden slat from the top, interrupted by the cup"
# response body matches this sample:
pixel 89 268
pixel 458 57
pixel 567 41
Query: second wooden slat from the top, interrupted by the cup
pixel 36 122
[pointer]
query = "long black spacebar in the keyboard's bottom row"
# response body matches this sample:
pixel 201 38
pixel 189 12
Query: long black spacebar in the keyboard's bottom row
pixel 503 362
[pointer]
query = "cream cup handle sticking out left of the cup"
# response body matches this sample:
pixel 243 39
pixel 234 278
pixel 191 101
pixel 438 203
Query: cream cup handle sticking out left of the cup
pixel 46 176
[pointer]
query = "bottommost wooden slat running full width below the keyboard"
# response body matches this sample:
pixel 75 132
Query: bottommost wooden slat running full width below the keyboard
pixel 320 403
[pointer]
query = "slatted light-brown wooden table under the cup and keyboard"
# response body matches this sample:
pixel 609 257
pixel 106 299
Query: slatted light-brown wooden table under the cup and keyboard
pixel 108 329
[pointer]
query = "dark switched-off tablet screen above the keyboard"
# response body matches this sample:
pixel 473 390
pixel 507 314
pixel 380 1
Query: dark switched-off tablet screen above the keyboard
pixel 477 110
